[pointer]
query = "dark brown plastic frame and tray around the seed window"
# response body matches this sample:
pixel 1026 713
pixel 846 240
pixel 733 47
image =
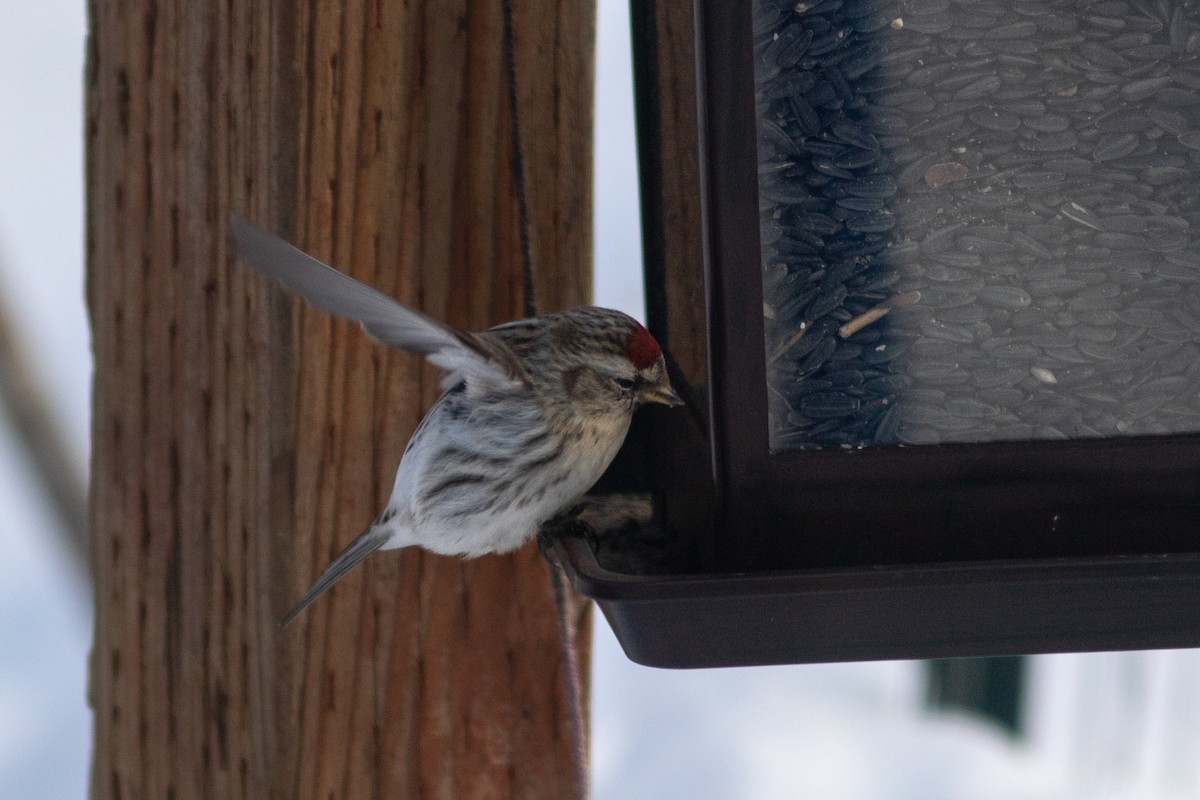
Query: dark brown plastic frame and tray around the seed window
pixel 884 552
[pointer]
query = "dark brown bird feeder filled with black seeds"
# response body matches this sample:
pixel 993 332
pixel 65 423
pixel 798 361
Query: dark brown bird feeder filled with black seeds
pixel 949 387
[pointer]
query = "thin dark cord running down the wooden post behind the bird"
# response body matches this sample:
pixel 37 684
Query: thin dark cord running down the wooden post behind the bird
pixel 567 631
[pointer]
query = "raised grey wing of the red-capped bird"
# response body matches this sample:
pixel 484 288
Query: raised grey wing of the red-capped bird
pixel 471 358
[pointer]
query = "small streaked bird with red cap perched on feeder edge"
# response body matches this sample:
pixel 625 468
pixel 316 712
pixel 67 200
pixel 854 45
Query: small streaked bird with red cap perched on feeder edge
pixel 533 412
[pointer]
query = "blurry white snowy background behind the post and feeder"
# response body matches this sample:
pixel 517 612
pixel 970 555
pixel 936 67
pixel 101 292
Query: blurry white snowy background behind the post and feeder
pixel 1096 726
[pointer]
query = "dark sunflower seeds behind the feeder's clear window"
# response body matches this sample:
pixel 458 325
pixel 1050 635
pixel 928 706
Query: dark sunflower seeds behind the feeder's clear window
pixel 980 219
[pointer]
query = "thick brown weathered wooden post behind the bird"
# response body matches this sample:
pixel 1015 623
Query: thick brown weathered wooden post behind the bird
pixel 242 438
